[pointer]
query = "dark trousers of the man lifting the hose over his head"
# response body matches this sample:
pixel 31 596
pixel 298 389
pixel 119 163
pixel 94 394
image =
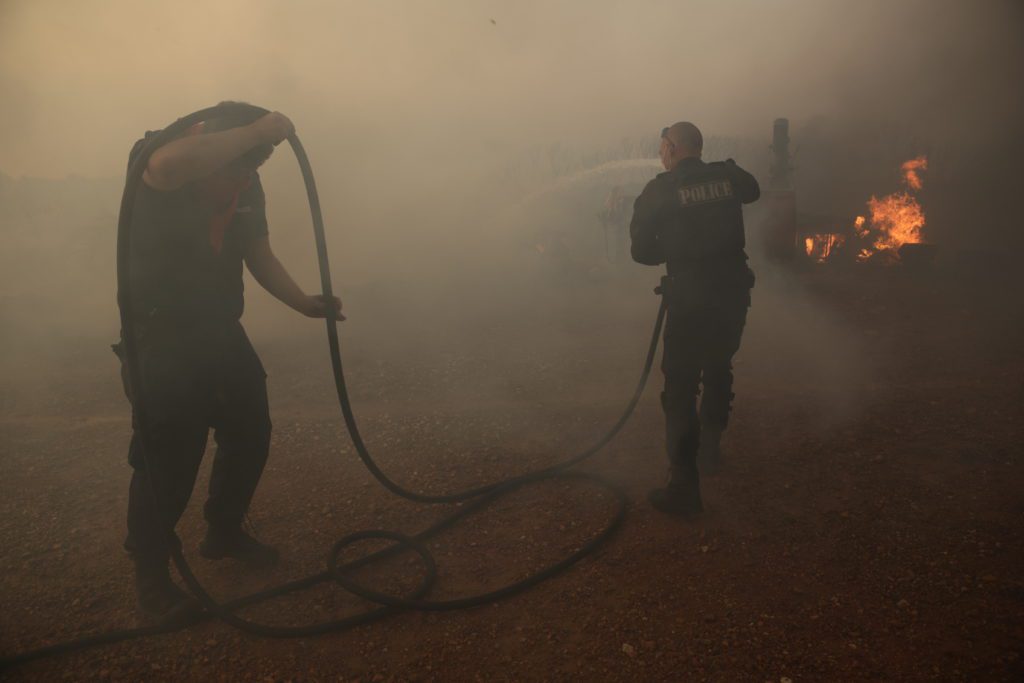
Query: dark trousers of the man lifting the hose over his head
pixel 195 378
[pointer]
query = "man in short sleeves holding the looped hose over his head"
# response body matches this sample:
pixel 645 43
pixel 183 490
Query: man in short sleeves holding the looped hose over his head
pixel 199 216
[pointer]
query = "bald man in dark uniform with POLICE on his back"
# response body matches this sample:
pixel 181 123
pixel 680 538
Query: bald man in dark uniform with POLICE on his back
pixel 691 220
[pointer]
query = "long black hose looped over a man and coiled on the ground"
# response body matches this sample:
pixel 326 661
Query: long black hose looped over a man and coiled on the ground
pixel 480 497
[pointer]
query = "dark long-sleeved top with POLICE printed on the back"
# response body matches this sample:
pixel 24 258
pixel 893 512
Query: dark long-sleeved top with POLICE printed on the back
pixel 691 219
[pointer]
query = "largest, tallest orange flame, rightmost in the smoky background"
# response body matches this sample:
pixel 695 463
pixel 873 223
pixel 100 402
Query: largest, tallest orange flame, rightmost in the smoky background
pixel 895 220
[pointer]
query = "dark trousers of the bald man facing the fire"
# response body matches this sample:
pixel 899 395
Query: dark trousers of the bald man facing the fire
pixel 701 338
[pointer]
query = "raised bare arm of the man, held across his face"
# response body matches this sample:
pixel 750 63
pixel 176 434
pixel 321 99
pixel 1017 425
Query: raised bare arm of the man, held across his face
pixel 189 159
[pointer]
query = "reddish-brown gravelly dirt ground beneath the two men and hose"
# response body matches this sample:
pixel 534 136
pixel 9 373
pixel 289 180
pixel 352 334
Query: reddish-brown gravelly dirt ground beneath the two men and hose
pixel 868 526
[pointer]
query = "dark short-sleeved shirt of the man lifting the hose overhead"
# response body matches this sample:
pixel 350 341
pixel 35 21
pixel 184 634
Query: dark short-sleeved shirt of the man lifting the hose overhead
pixel 181 272
